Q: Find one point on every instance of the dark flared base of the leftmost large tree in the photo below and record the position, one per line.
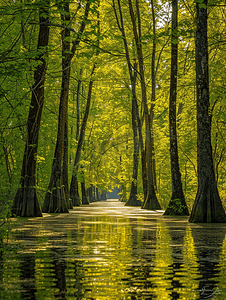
(26, 203)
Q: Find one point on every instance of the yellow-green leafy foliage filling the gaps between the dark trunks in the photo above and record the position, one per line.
(107, 155)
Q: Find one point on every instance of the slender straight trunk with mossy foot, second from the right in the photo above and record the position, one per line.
(177, 204)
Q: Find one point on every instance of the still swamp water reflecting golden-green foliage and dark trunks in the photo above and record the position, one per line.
(109, 251)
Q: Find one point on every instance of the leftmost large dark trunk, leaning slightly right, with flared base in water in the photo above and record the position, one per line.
(26, 202)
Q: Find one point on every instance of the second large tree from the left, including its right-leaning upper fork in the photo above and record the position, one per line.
(55, 200)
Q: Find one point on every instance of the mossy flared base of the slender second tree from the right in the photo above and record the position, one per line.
(177, 207)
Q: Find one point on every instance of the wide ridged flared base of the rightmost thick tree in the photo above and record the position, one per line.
(207, 207)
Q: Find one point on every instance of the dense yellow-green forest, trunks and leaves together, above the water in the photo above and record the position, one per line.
(118, 93)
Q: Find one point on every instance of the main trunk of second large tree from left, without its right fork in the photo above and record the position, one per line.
(56, 198)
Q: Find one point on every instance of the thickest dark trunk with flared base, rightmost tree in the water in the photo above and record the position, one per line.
(207, 207)
